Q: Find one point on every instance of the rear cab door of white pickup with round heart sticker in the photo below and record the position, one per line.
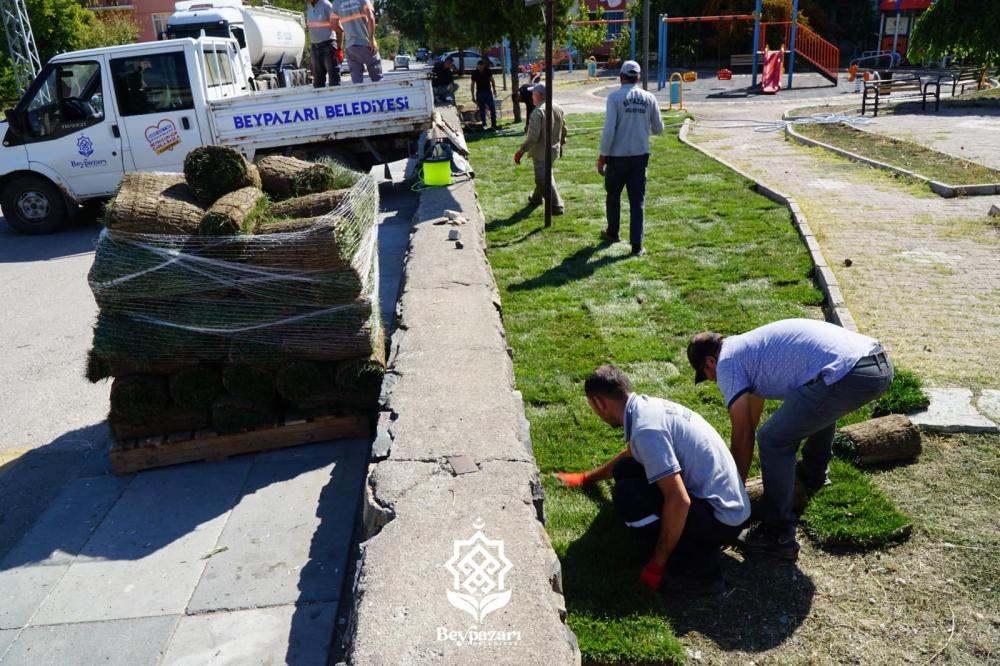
(156, 106)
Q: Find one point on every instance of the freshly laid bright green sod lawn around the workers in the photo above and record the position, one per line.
(720, 257)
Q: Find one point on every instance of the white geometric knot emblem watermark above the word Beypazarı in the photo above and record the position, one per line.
(478, 567)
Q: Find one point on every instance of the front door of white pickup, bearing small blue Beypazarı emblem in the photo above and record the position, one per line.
(67, 127)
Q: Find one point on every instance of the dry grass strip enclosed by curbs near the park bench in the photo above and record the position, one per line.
(905, 154)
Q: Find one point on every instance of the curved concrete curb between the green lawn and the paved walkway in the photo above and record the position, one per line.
(836, 309)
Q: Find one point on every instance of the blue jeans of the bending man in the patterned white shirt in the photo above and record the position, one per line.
(811, 413)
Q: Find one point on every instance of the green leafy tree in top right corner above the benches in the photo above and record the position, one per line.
(966, 30)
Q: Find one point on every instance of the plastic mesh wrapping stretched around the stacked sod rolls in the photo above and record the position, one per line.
(262, 299)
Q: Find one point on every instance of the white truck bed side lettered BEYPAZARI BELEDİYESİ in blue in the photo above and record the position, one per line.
(398, 104)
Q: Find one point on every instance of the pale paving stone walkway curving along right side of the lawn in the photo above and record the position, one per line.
(924, 274)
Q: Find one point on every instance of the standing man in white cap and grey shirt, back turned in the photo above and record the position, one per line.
(632, 115)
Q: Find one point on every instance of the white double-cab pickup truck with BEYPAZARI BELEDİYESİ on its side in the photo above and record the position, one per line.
(90, 116)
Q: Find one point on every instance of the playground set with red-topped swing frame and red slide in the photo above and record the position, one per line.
(800, 41)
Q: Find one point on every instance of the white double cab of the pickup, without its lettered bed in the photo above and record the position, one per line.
(90, 116)
